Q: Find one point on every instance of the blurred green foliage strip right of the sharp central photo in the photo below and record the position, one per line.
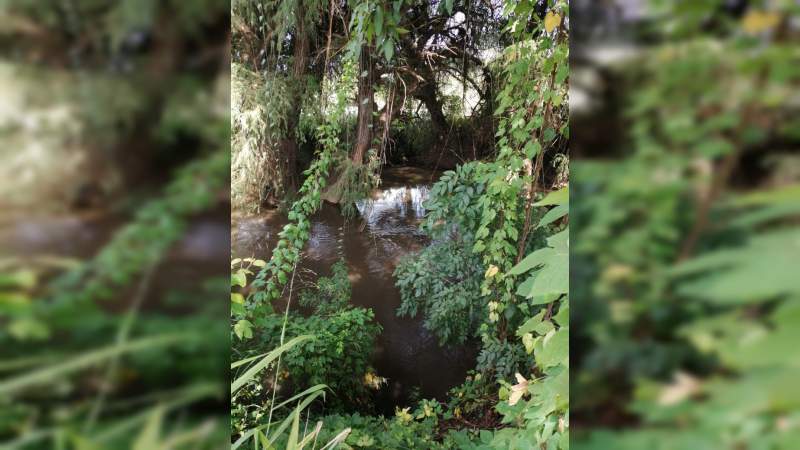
(685, 262)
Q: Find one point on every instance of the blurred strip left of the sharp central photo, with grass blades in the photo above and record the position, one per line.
(114, 223)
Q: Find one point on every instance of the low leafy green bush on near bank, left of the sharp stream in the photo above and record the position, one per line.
(338, 356)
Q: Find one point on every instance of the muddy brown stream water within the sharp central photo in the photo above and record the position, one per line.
(386, 229)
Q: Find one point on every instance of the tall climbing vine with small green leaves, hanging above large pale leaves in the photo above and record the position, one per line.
(528, 125)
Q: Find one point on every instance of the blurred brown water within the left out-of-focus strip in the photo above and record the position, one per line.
(201, 253)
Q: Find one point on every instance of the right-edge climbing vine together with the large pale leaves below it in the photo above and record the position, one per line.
(529, 125)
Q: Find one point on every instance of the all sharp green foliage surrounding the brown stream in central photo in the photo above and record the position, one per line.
(494, 274)
